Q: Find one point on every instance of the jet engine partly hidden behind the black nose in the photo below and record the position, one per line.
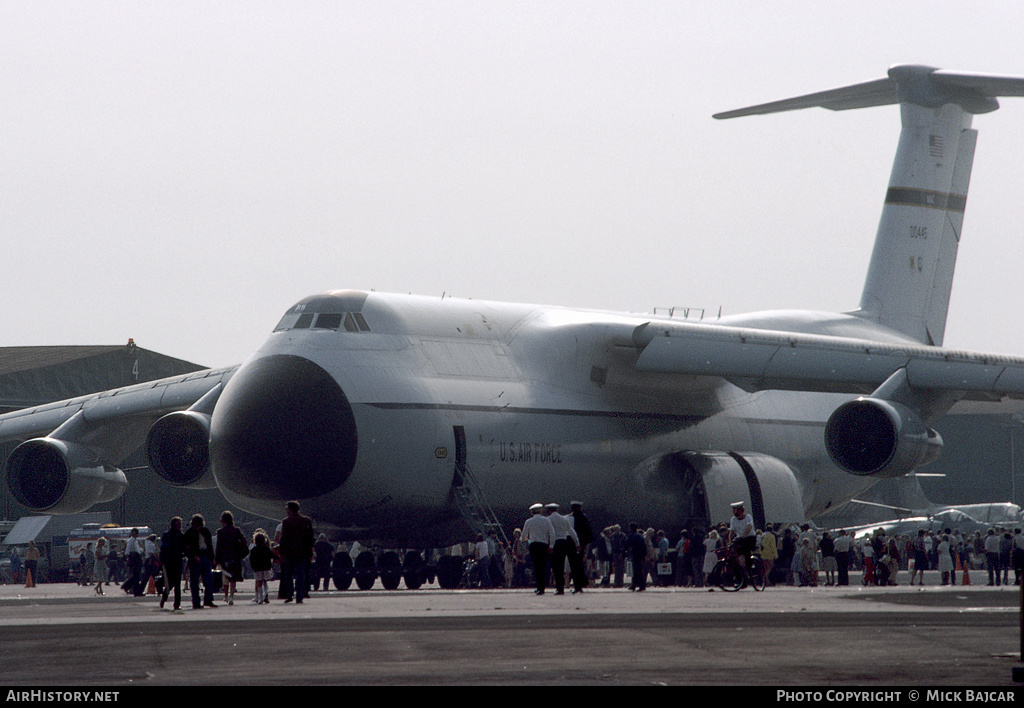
(179, 448)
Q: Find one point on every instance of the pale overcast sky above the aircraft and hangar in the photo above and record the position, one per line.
(183, 173)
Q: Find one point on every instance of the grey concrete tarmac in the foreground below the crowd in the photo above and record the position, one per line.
(970, 637)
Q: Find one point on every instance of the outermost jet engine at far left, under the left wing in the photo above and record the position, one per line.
(60, 477)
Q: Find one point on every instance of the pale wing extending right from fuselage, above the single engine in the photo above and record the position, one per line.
(757, 360)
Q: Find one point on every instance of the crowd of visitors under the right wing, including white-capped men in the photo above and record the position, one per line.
(798, 556)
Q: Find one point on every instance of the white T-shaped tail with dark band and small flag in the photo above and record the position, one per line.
(912, 269)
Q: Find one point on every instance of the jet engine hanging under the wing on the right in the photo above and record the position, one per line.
(876, 438)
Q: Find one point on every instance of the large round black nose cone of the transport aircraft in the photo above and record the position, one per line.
(283, 429)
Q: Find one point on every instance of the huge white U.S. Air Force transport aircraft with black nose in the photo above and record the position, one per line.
(382, 414)
